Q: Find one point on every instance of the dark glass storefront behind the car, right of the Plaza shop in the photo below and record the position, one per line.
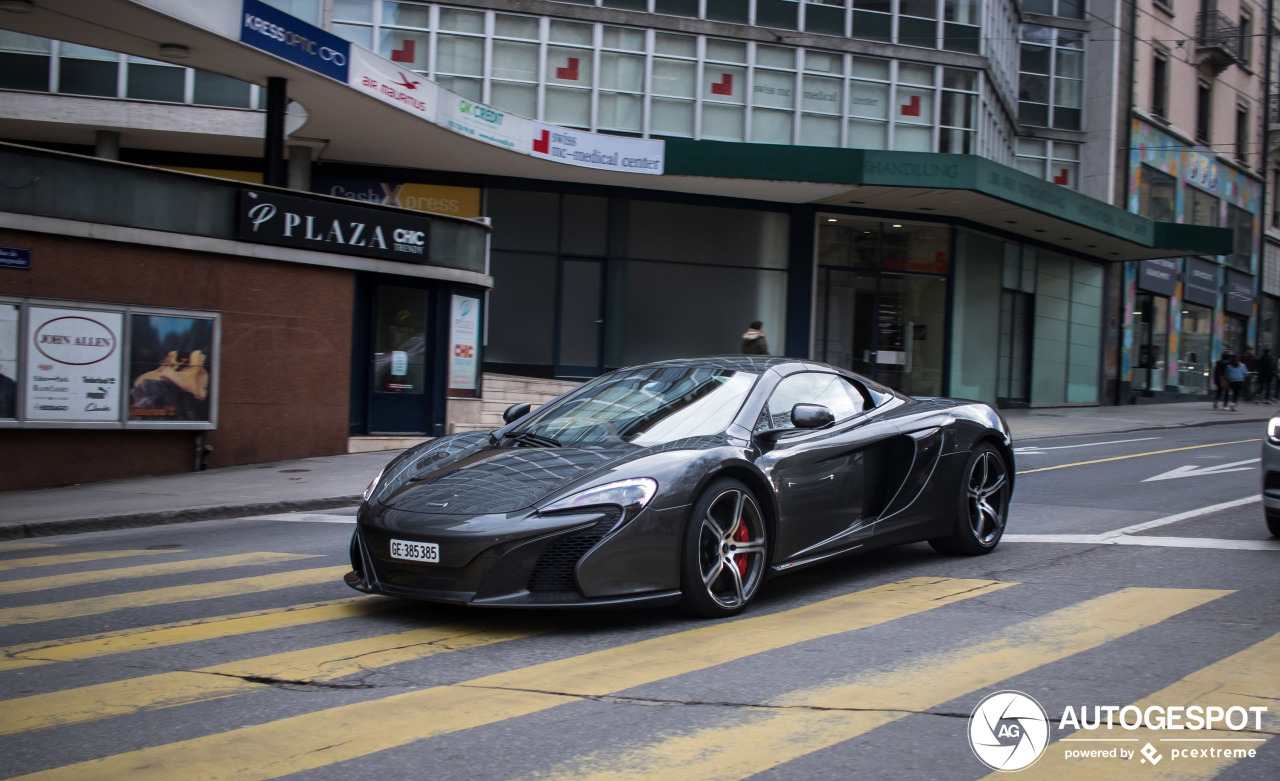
(588, 284)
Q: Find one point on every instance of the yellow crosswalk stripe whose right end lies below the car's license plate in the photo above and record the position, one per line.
(89, 647)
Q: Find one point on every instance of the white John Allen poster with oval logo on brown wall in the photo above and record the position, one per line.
(74, 366)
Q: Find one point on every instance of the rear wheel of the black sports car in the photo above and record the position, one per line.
(982, 505)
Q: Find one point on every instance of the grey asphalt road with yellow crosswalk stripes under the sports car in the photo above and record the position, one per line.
(231, 650)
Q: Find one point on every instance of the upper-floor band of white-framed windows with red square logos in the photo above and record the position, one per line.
(627, 80)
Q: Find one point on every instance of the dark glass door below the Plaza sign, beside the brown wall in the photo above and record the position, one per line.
(400, 403)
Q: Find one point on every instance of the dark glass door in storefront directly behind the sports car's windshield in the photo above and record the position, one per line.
(580, 321)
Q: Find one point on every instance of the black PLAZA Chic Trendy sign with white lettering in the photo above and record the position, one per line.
(269, 218)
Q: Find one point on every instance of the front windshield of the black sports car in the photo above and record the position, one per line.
(647, 407)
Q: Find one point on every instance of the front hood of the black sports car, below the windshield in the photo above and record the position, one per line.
(501, 479)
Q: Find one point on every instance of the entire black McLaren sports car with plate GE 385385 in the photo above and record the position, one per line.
(683, 481)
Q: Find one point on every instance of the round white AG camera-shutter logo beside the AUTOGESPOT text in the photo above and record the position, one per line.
(1009, 732)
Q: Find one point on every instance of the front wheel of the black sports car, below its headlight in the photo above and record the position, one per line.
(725, 552)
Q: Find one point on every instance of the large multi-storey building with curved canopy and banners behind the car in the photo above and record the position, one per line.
(918, 190)
